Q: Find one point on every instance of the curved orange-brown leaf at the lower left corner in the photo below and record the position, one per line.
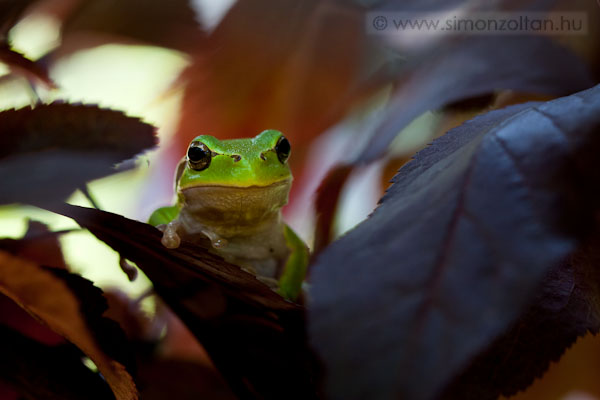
(50, 300)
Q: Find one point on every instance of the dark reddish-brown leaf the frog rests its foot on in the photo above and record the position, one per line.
(218, 301)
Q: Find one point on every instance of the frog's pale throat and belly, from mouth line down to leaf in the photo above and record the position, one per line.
(244, 225)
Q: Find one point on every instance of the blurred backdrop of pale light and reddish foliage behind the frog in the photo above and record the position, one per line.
(355, 106)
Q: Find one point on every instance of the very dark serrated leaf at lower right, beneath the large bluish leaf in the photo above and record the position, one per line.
(566, 307)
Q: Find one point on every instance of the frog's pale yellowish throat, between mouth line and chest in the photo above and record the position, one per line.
(231, 211)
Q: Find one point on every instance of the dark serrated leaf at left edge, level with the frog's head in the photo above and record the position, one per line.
(50, 150)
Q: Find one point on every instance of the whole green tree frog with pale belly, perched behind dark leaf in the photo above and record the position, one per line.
(236, 202)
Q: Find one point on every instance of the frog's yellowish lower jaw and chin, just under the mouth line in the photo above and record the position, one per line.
(234, 205)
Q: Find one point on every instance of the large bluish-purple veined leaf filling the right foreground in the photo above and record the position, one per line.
(455, 251)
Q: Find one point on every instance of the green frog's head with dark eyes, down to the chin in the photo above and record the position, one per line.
(225, 176)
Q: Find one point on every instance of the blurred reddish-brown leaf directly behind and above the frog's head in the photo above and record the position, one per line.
(287, 65)
